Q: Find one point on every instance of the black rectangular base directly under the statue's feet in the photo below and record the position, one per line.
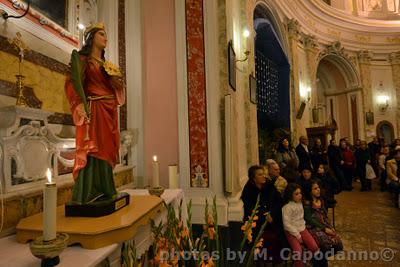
(97, 208)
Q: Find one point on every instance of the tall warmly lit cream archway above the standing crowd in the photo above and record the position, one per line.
(339, 94)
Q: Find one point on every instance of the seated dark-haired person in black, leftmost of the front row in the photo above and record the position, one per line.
(270, 201)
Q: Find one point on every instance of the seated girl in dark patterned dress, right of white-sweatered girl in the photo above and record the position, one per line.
(317, 221)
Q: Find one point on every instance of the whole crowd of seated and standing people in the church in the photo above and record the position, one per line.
(296, 188)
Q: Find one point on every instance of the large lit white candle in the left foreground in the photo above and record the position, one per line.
(49, 209)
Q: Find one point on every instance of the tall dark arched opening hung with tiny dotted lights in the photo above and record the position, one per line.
(272, 75)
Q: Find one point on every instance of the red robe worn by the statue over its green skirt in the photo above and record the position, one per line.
(103, 129)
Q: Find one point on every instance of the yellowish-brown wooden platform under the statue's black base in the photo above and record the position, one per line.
(96, 232)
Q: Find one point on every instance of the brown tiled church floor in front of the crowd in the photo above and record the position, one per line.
(369, 225)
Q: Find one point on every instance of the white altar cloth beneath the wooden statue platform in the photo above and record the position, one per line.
(14, 254)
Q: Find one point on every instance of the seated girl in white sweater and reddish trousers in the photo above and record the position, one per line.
(294, 224)
